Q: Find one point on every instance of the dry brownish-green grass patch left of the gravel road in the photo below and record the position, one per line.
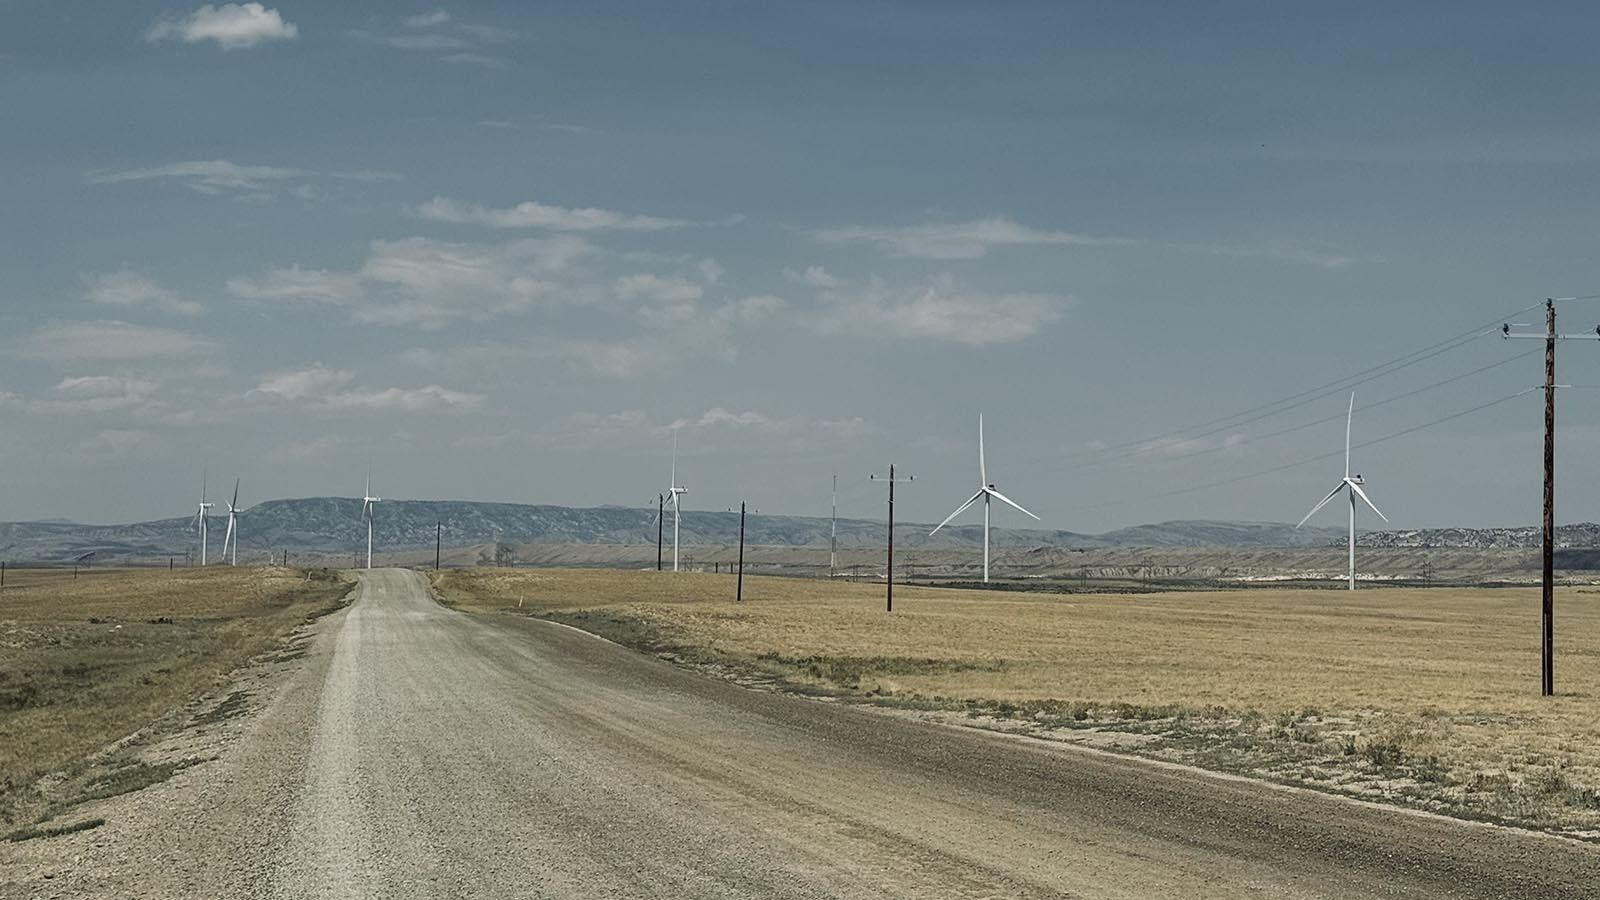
(90, 659)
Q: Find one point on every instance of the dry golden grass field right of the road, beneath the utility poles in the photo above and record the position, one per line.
(1425, 697)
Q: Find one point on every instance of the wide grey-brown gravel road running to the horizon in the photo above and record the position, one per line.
(425, 753)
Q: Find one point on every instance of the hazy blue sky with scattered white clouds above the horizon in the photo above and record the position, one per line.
(502, 249)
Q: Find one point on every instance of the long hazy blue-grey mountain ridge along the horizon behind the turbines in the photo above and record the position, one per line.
(329, 526)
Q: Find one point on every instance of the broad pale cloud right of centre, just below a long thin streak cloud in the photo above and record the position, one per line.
(938, 311)
